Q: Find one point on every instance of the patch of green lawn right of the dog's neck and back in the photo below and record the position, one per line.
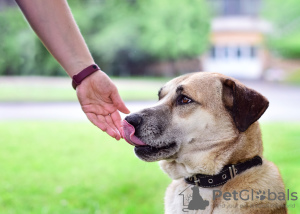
(282, 146)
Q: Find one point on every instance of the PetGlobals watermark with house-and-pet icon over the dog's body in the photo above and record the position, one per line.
(192, 200)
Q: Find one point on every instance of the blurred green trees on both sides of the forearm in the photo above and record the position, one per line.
(123, 36)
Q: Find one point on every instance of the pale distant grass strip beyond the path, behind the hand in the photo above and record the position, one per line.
(43, 89)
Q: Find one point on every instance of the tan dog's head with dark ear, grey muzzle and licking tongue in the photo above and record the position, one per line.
(197, 114)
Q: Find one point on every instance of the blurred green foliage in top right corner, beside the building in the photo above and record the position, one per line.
(285, 16)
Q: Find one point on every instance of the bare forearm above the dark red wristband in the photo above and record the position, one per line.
(53, 22)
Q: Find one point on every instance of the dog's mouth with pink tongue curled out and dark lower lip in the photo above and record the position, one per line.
(141, 148)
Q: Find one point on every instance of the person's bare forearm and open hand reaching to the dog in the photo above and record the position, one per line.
(55, 26)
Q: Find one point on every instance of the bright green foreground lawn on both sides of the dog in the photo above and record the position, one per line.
(73, 168)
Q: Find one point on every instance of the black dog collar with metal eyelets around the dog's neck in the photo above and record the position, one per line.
(228, 172)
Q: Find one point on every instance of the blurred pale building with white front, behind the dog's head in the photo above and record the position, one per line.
(236, 39)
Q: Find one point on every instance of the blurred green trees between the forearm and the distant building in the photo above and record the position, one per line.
(131, 34)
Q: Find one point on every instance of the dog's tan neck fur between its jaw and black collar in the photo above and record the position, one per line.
(242, 147)
